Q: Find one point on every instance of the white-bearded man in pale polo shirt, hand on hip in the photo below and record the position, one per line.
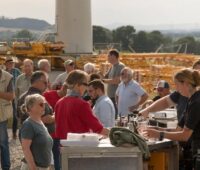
(129, 94)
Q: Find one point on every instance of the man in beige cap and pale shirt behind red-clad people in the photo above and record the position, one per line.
(69, 66)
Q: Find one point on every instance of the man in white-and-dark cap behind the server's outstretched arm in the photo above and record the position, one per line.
(163, 89)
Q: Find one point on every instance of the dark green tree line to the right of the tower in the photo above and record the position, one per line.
(128, 39)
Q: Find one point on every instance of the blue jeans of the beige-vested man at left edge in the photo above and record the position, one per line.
(4, 146)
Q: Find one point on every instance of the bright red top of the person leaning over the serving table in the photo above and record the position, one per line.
(74, 115)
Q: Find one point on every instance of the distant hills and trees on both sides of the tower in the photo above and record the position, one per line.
(125, 38)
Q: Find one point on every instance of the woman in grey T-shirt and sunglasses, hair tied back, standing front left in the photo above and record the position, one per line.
(35, 139)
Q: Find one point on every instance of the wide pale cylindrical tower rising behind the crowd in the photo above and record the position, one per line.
(73, 25)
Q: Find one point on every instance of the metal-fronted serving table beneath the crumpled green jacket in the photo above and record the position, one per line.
(108, 157)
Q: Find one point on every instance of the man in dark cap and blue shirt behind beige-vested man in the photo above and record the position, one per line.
(15, 72)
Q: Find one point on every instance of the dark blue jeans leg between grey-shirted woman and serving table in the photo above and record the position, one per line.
(56, 153)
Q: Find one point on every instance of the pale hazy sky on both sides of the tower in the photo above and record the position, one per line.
(108, 12)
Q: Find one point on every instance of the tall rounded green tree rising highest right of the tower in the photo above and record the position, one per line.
(125, 36)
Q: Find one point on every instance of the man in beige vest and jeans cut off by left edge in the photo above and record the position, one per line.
(6, 97)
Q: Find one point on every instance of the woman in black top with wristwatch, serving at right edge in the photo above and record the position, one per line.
(187, 82)
